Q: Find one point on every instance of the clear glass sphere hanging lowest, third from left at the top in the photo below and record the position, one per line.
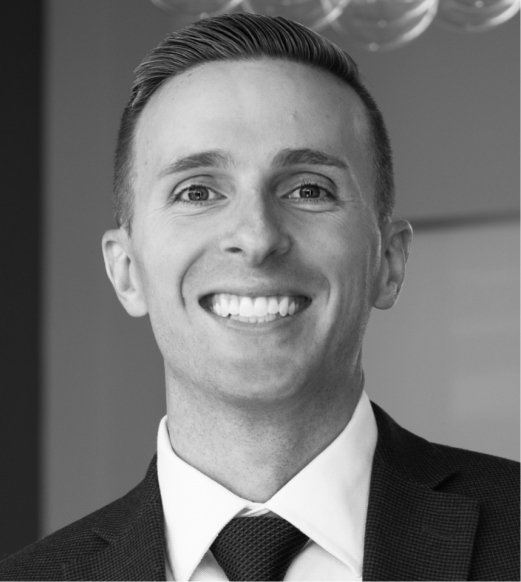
(379, 25)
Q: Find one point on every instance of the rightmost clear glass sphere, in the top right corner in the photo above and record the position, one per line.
(475, 15)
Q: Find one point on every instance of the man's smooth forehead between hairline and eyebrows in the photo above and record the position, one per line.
(253, 109)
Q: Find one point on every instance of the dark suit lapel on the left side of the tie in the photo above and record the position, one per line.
(133, 530)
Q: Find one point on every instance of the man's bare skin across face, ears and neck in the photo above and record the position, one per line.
(251, 404)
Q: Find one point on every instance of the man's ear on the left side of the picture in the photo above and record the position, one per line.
(122, 271)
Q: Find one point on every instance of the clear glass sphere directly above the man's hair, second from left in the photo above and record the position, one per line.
(312, 13)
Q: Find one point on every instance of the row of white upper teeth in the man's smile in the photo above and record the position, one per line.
(224, 304)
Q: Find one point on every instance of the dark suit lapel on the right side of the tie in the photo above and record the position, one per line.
(414, 531)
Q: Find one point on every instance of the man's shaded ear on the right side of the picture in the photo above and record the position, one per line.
(396, 242)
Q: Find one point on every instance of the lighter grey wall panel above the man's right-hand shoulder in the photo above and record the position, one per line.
(444, 362)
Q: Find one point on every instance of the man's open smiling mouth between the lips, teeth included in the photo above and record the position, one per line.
(254, 309)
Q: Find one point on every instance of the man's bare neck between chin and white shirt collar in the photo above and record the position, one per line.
(254, 450)
